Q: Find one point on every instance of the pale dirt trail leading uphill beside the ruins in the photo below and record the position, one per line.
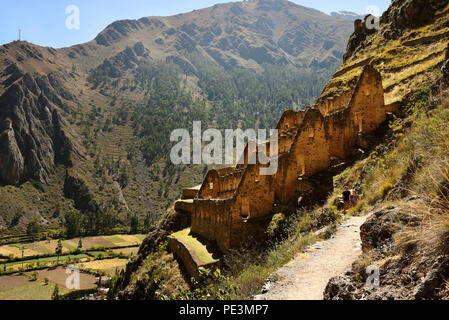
(306, 277)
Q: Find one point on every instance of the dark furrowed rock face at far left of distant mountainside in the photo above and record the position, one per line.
(33, 136)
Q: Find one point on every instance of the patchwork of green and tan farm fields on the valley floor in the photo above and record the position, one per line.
(39, 261)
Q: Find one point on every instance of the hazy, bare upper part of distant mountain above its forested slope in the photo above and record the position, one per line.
(238, 34)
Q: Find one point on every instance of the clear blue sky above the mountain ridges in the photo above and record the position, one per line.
(44, 21)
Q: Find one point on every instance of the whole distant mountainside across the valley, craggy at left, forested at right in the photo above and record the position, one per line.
(85, 130)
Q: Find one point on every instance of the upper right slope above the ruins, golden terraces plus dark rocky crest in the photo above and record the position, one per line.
(407, 49)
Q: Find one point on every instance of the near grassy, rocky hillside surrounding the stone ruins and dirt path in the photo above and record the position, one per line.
(402, 179)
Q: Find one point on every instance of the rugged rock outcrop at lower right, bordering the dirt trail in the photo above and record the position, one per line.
(410, 272)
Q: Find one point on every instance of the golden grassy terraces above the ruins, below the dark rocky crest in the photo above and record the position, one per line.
(404, 64)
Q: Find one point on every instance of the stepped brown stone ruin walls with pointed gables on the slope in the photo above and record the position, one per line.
(232, 199)
